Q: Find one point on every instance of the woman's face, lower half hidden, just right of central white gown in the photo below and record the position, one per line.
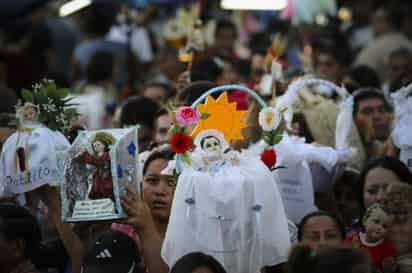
(321, 231)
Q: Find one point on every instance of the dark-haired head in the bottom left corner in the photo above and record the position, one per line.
(20, 239)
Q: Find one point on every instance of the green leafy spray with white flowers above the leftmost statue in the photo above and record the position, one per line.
(54, 109)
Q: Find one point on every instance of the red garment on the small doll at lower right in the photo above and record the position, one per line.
(378, 252)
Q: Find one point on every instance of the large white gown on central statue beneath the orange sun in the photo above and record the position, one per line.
(233, 212)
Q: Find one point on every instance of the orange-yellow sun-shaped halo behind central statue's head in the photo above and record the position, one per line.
(223, 117)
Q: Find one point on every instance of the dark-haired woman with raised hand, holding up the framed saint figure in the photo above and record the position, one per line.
(149, 213)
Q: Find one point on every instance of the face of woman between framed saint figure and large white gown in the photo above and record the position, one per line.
(158, 189)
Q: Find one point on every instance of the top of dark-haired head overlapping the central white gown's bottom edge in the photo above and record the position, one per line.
(197, 262)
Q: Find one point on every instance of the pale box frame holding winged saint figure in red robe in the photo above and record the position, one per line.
(96, 172)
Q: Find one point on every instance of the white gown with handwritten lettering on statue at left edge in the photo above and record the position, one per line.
(42, 144)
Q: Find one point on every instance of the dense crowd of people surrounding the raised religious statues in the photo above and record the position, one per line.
(124, 69)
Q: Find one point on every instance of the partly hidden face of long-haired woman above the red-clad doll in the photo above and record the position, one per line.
(376, 183)
